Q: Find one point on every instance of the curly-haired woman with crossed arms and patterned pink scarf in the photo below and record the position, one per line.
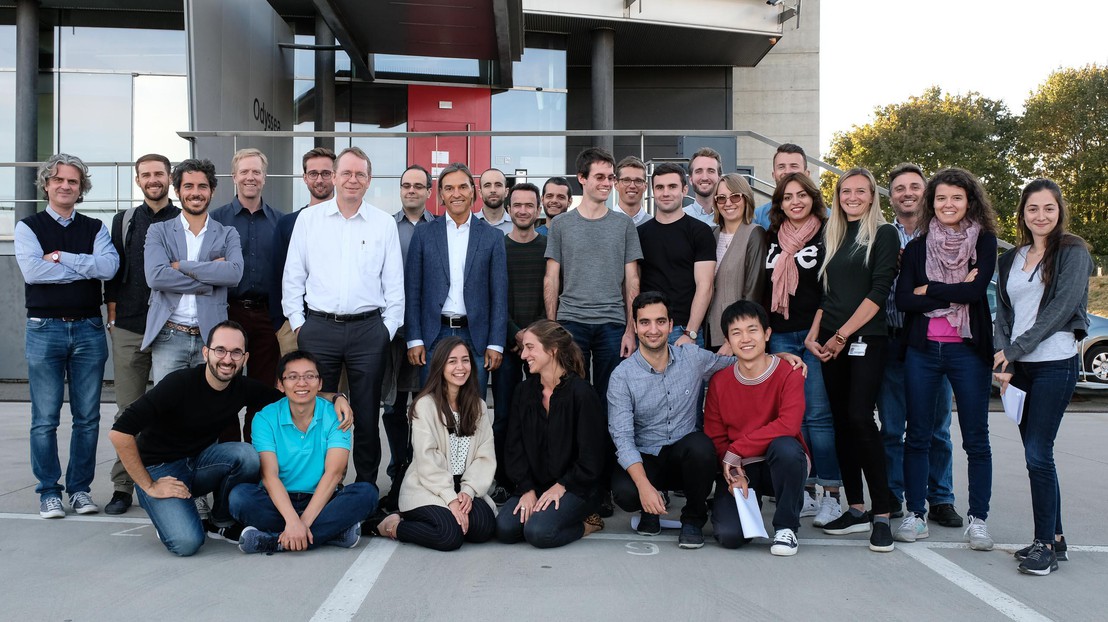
(943, 290)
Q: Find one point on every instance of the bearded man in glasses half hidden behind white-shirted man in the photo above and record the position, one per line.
(319, 167)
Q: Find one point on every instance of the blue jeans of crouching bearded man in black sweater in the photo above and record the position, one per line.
(219, 470)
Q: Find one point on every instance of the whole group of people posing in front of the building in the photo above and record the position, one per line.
(603, 318)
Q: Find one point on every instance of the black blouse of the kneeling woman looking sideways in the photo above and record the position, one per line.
(567, 446)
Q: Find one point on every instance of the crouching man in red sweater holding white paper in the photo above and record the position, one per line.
(753, 415)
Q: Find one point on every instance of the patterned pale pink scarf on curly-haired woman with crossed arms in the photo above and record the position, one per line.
(950, 253)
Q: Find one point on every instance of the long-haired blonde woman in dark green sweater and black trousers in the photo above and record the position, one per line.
(849, 335)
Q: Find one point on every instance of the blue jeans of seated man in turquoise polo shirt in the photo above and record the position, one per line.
(252, 506)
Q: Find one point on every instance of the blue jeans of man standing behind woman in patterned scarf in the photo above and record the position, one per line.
(894, 414)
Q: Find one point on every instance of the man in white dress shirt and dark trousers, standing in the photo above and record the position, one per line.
(345, 297)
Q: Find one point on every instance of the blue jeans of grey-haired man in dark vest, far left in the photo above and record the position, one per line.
(57, 351)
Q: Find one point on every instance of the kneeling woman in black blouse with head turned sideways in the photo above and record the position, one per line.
(556, 445)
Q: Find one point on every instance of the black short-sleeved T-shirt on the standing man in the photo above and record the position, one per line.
(670, 252)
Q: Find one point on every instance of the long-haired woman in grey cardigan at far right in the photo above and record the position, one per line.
(1043, 289)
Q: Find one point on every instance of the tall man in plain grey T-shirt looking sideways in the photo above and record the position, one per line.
(592, 272)
